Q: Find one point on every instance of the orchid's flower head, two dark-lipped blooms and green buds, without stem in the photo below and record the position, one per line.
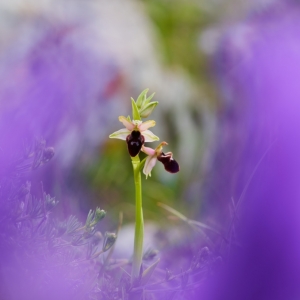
(136, 133)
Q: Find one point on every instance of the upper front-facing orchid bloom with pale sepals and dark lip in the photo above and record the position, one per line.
(135, 134)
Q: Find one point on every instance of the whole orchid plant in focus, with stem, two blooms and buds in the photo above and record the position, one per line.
(135, 134)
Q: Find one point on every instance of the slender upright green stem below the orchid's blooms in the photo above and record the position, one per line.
(139, 221)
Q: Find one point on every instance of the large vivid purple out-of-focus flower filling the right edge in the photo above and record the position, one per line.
(260, 81)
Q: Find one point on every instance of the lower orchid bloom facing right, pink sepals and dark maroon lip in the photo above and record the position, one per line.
(166, 159)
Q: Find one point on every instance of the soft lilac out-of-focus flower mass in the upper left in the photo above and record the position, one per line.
(55, 86)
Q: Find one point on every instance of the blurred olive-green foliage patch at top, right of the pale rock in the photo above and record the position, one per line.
(178, 23)
